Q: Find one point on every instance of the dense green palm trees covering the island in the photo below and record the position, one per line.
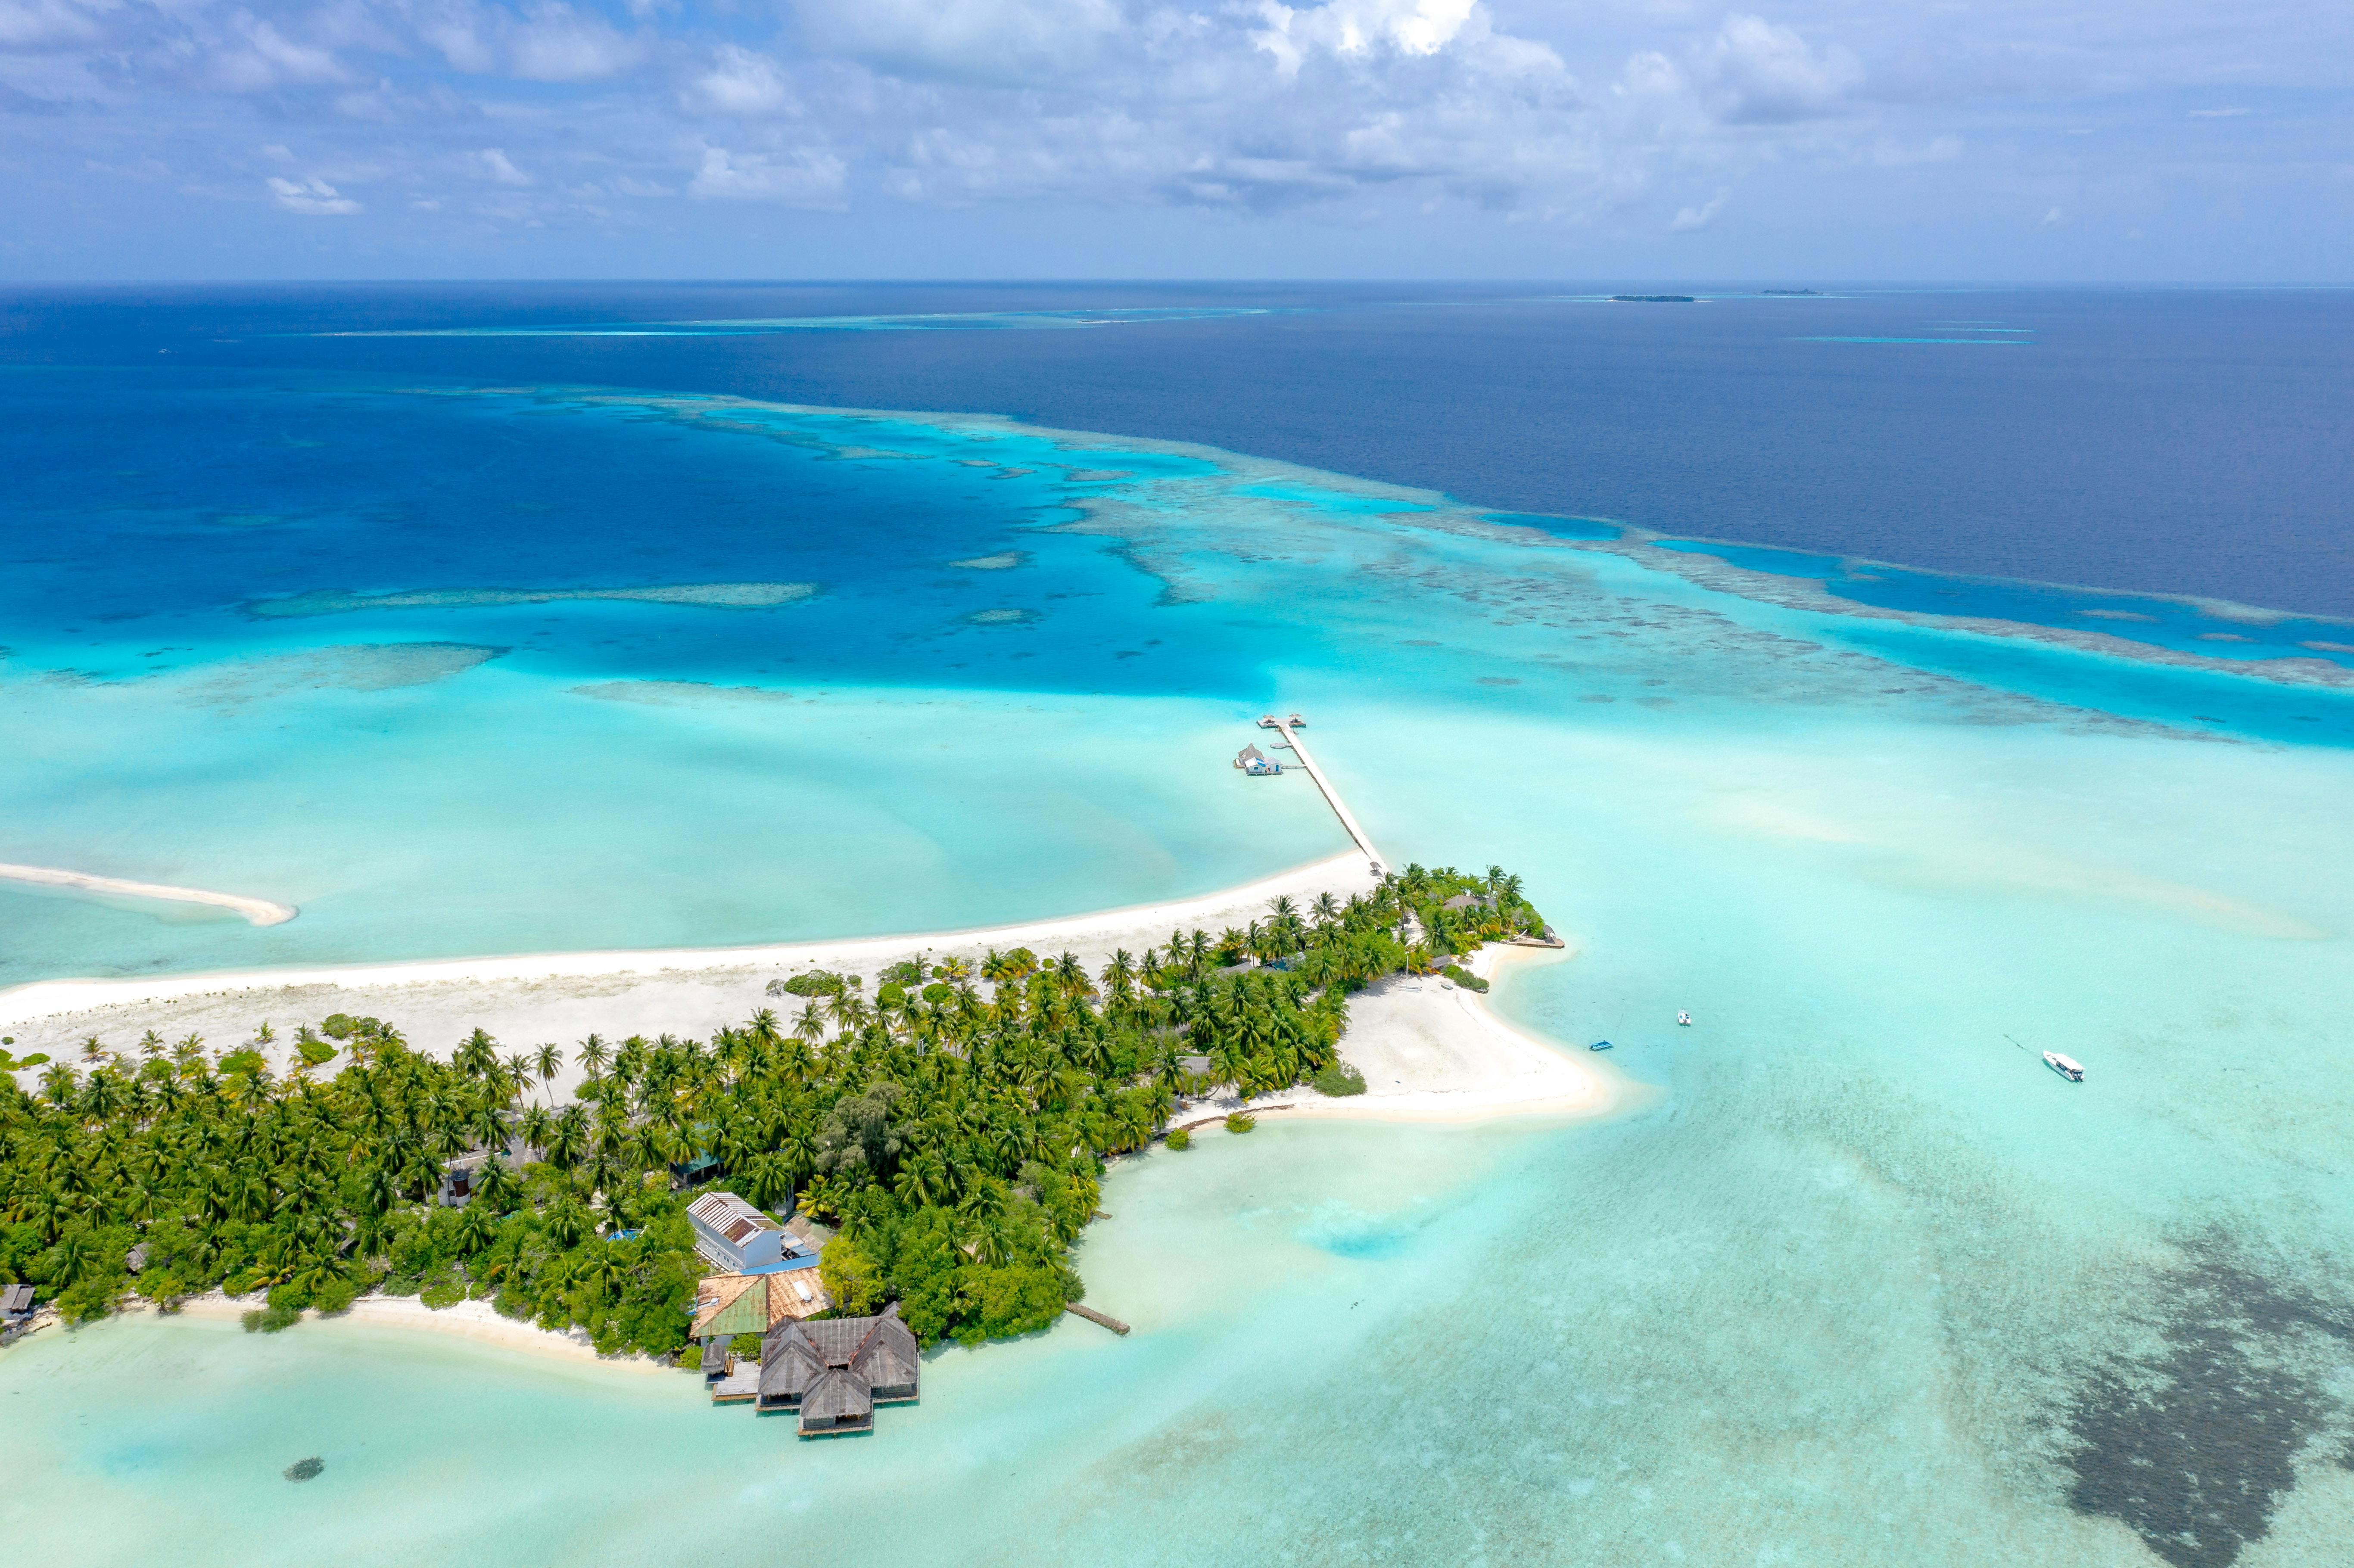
(950, 1129)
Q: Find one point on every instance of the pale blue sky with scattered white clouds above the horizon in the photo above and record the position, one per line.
(1821, 140)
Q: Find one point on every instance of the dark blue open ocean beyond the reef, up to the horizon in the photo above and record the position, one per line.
(2124, 439)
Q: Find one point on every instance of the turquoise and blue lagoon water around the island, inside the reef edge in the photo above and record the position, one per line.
(1861, 1284)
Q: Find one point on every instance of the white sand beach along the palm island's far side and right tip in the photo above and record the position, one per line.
(1428, 1049)
